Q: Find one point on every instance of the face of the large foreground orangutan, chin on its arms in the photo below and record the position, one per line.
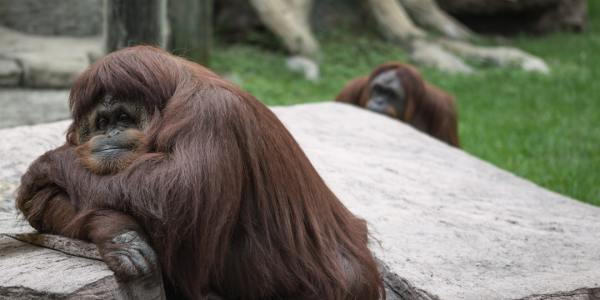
(111, 137)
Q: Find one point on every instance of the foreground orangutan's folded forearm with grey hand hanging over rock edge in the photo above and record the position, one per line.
(120, 240)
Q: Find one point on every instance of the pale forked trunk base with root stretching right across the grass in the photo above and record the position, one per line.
(443, 54)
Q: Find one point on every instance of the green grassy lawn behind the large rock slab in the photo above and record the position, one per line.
(543, 128)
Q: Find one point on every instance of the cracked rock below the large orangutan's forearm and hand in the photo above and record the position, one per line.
(60, 269)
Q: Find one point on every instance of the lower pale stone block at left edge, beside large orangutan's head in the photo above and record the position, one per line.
(33, 106)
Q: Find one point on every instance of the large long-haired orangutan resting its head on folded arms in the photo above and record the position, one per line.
(163, 153)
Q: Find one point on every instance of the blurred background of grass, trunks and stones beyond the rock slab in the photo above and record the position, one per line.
(524, 73)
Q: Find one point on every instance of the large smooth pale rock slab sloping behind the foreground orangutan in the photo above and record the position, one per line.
(449, 225)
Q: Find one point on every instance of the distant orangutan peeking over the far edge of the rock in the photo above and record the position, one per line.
(399, 91)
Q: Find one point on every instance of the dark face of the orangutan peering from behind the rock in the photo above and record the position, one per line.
(387, 95)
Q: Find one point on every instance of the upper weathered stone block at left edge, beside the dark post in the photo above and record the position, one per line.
(48, 62)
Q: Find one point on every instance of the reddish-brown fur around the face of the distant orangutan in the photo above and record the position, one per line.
(428, 108)
